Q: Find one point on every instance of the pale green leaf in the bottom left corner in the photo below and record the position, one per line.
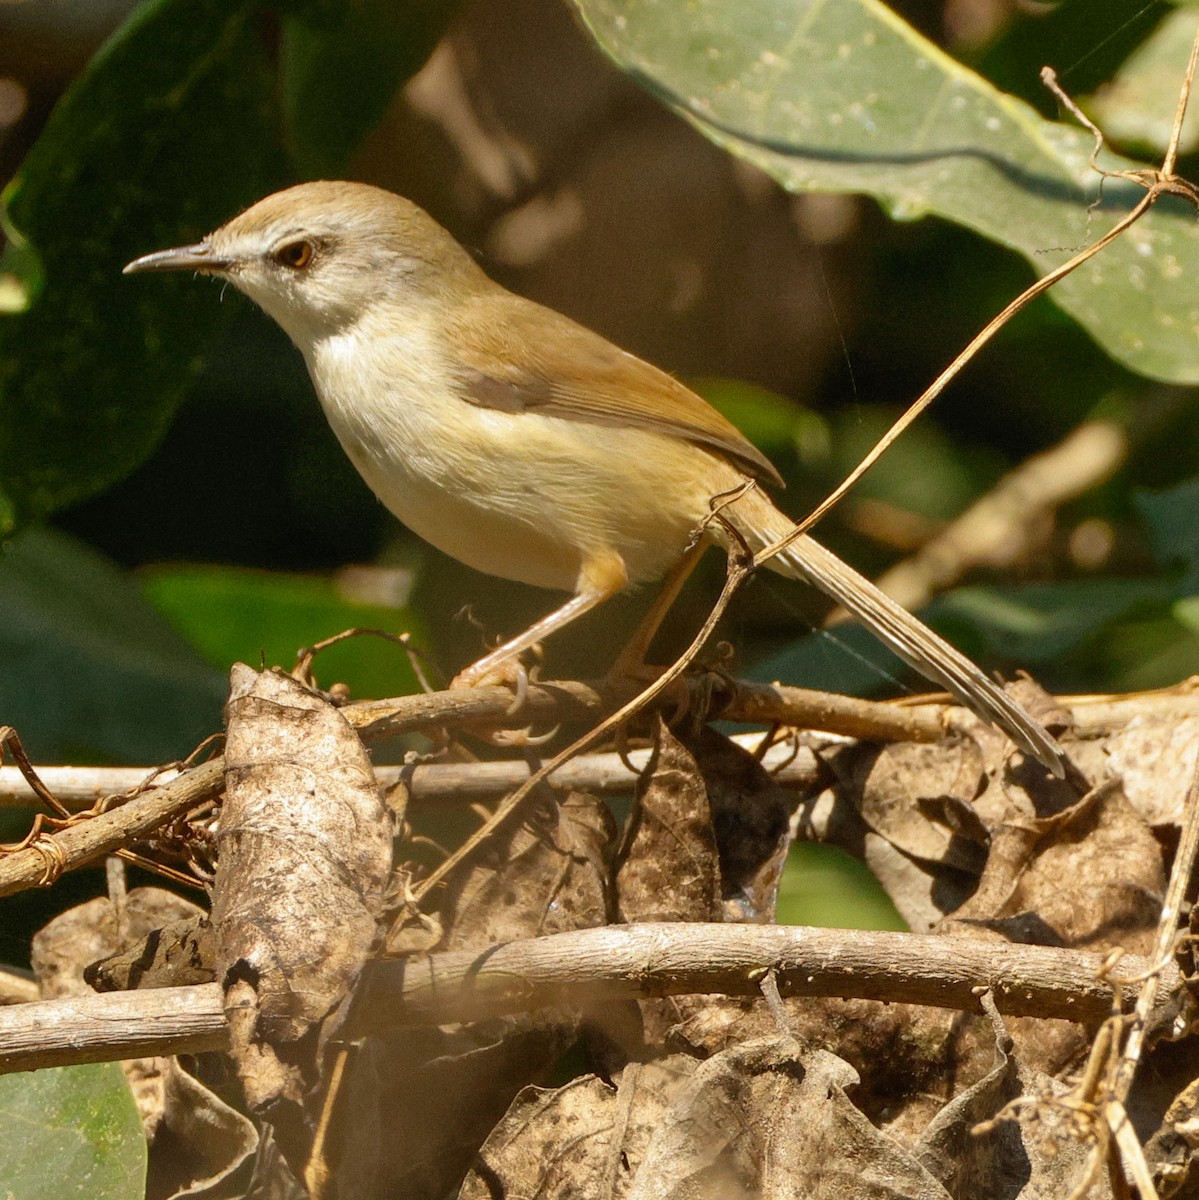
(73, 1132)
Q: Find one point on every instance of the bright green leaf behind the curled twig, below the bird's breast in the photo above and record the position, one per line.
(235, 615)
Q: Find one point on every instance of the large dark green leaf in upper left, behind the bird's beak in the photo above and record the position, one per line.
(173, 129)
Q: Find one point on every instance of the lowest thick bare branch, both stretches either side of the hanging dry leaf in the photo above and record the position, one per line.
(587, 968)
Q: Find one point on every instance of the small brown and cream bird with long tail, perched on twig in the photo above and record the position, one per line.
(517, 440)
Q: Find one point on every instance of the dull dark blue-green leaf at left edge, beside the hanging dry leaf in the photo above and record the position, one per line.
(91, 671)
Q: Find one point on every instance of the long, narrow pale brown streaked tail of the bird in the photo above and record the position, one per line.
(922, 650)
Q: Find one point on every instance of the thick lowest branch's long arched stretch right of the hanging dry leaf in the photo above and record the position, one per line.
(619, 962)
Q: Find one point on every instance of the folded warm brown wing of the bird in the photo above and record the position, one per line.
(563, 370)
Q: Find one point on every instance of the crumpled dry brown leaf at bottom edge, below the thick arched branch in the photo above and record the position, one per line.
(759, 1120)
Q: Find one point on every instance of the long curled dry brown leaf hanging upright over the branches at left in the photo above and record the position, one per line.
(304, 853)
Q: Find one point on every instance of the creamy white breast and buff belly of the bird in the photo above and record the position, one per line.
(520, 496)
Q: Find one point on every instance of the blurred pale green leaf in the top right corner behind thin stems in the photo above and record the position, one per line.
(1137, 106)
